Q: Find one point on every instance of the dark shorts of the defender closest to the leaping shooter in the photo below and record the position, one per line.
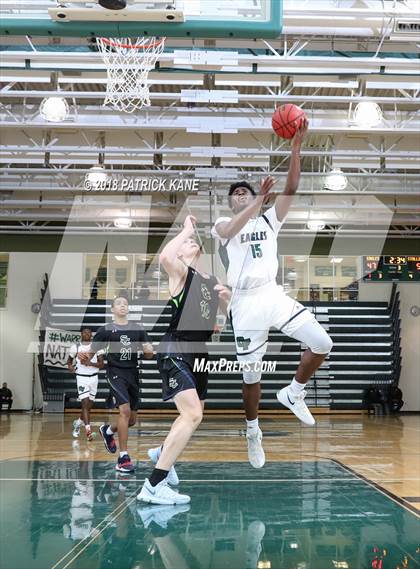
(178, 375)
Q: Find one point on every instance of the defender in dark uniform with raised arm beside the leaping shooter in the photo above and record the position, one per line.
(195, 298)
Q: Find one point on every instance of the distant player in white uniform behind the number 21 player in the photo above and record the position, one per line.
(87, 380)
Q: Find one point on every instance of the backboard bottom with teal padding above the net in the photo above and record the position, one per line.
(171, 18)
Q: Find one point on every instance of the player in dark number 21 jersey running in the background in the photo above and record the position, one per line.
(123, 340)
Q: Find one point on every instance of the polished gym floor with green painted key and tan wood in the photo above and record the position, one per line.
(343, 494)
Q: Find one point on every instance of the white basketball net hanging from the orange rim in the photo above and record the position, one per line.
(128, 64)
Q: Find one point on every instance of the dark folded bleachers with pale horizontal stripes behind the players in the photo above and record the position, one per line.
(366, 353)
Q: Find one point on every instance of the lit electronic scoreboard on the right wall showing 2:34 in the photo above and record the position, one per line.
(397, 268)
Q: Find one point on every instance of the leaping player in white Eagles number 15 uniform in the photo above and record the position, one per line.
(248, 250)
